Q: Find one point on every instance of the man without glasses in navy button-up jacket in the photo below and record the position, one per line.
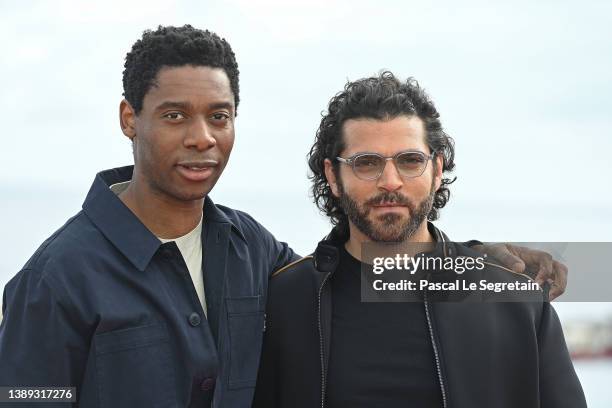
(152, 295)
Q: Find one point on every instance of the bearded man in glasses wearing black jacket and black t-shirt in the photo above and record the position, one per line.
(378, 171)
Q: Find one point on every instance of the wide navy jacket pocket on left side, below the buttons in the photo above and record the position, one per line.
(134, 368)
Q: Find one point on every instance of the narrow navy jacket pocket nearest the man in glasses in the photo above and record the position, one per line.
(246, 323)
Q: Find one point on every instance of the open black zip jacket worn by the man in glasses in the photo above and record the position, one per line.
(497, 354)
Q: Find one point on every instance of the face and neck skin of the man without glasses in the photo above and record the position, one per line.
(187, 120)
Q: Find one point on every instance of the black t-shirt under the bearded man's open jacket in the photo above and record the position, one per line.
(381, 353)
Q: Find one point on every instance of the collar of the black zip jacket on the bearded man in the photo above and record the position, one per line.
(327, 255)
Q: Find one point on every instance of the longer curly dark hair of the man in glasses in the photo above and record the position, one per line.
(381, 97)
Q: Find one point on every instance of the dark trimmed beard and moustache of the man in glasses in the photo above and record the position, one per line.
(388, 227)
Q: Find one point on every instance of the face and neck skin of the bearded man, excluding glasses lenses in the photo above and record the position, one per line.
(386, 137)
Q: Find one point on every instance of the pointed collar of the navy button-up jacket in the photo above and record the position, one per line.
(121, 227)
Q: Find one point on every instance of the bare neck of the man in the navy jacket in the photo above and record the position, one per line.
(163, 216)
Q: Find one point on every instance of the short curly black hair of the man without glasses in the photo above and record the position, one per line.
(171, 47)
